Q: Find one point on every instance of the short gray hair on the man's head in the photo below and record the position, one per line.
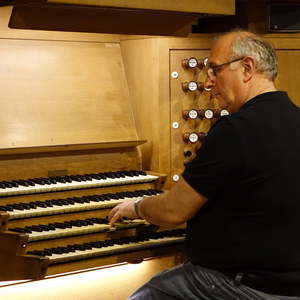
(262, 51)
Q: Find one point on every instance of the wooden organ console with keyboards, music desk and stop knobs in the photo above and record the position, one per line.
(85, 128)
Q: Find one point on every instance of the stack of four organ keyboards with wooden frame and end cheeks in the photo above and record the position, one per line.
(59, 224)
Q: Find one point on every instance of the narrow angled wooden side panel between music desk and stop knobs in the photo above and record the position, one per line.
(141, 61)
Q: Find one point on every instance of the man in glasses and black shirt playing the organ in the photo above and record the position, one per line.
(240, 194)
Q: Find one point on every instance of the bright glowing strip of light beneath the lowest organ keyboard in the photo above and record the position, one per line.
(113, 283)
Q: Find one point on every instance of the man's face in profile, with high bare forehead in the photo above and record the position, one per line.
(226, 85)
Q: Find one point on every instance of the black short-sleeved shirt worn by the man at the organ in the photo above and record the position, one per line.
(249, 169)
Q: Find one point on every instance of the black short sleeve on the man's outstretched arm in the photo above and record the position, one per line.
(218, 162)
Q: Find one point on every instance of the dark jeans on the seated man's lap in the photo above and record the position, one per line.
(192, 282)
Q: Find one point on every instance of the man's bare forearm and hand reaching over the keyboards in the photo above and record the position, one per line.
(174, 207)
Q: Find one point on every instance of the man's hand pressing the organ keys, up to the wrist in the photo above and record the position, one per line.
(124, 210)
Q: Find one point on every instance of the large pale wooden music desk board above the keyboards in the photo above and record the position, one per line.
(57, 93)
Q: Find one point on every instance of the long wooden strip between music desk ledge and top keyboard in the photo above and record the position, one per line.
(73, 162)
